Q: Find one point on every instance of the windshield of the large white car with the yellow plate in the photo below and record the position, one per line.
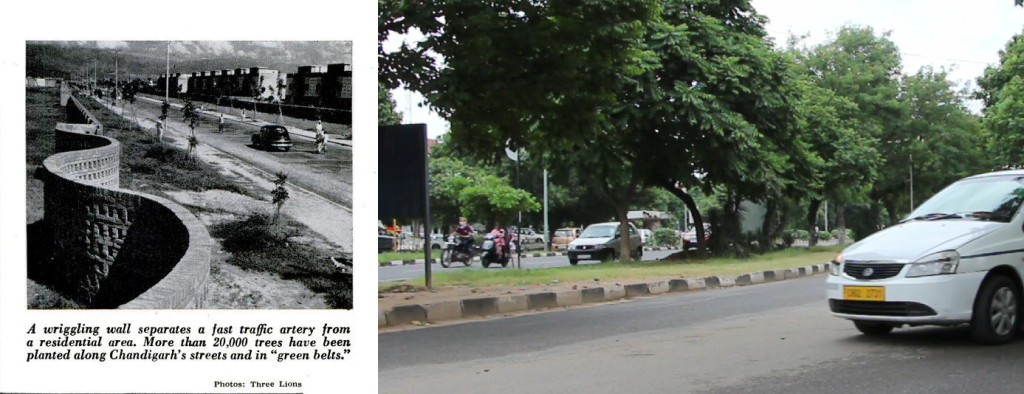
(992, 198)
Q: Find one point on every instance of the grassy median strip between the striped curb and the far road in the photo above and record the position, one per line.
(795, 257)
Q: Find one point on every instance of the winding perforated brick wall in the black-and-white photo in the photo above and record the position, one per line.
(118, 248)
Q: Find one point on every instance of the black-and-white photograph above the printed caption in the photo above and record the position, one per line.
(189, 174)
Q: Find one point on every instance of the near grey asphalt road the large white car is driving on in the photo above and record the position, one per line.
(767, 338)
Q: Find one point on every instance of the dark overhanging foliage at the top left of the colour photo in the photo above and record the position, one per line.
(535, 72)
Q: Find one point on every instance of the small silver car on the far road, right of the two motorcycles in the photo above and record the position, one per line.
(602, 242)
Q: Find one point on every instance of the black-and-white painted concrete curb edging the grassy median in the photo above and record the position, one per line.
(492, 307)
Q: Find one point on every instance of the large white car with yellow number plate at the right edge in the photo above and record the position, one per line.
(957, 259)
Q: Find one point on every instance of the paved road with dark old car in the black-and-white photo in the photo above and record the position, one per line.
(329, 176)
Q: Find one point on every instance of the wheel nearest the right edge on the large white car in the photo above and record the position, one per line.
(997, 312)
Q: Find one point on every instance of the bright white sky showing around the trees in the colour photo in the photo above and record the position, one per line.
(962, 36)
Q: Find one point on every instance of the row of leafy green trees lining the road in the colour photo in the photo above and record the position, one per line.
(619, 99)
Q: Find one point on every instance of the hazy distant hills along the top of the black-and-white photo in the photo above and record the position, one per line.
(147, 59)
